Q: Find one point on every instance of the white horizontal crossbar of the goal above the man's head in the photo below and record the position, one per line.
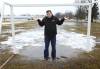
(48, 5)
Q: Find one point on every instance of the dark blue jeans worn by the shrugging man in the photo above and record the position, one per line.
(53, 45)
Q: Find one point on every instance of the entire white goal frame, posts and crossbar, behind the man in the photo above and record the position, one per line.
(43, 5)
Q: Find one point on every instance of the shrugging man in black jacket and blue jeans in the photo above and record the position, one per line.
(50, 22)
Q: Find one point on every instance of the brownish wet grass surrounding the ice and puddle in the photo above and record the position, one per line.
(90, 60)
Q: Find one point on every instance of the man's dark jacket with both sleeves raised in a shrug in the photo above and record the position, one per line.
(50, 25)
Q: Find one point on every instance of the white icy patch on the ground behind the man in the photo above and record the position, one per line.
(64, 38)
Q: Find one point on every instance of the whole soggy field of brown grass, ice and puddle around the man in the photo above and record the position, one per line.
(74, 49)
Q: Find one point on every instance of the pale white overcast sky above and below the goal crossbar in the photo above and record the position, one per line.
(40, 10)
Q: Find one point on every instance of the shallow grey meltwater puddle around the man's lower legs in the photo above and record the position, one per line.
(37, 52)
